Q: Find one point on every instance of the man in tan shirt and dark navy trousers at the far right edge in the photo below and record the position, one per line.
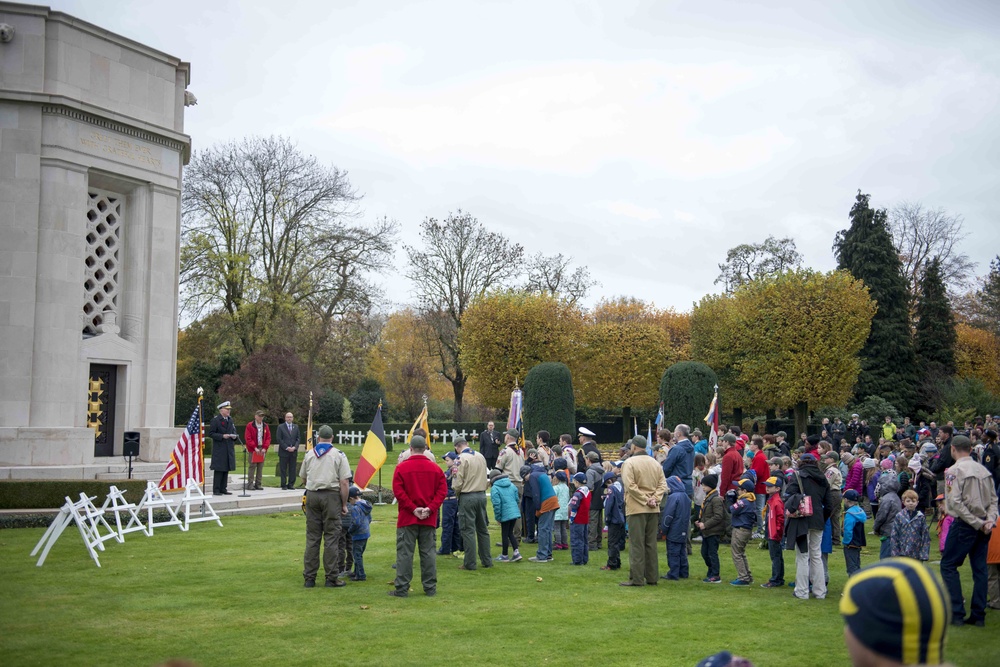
(972, 500)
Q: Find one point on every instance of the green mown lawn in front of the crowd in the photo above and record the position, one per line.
(234, 596)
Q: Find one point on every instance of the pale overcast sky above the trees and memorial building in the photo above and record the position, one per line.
(642, 138)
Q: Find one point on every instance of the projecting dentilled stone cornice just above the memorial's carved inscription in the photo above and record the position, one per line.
(59, 105)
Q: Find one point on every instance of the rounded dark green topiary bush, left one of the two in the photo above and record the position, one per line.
(549, 404)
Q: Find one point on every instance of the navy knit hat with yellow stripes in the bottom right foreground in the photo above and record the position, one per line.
(899, 609)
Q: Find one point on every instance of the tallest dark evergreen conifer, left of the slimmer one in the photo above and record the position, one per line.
(887, 360)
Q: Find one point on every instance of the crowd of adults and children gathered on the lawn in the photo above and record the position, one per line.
(822, 492)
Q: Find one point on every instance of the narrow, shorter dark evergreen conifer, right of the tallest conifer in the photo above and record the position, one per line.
(935, 337)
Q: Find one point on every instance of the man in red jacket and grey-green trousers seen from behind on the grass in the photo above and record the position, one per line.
(419, 487)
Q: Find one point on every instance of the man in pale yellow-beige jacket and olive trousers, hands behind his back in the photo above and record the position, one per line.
(644, 485)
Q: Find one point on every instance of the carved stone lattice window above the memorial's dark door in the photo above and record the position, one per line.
(100, 285)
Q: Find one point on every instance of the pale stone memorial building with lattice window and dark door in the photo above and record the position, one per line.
(92, 146)
